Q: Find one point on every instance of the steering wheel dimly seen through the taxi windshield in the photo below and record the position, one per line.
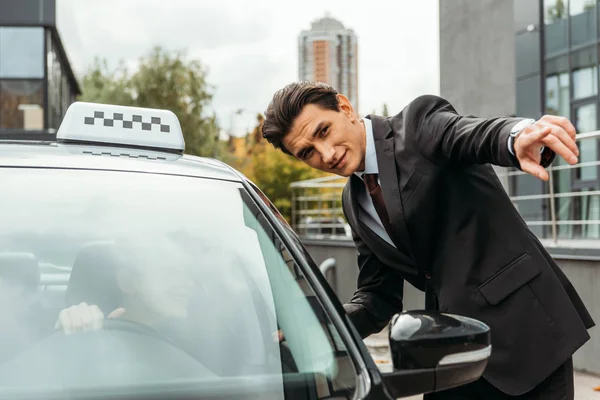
(122, 352)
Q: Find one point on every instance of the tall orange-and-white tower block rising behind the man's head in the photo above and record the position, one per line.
(328, 53)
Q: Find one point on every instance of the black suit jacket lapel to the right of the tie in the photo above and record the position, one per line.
(385, 149)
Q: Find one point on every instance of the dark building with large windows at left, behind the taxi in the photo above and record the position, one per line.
(37, 83)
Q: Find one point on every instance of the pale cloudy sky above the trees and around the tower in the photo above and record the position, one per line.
(250, 48)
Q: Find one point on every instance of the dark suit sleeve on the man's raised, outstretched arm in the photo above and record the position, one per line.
(444, 136)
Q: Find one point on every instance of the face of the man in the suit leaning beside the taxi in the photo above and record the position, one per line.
(331, 141)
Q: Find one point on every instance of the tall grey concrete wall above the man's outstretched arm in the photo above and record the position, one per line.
(477, 56)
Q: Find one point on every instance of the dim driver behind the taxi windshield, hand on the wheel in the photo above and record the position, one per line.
(157, 285)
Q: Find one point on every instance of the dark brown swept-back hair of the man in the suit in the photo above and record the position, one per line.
(289, 102)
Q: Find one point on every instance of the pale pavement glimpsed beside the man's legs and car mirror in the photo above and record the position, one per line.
(380, 351)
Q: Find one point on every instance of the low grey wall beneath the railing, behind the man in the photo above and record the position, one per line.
(585, 276)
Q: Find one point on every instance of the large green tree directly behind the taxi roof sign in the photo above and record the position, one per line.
(162, 80)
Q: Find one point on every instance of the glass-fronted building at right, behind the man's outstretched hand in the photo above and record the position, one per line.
(556, 56)
